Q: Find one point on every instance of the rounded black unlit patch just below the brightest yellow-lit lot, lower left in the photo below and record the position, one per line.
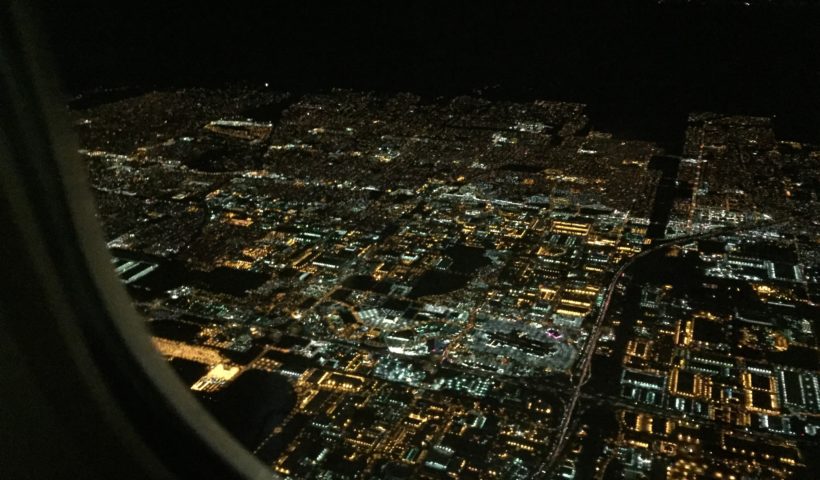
(252, 406)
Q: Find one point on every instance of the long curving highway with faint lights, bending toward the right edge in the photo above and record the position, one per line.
(589, 350)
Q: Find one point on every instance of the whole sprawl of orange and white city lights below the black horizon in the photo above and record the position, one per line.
(449, 288)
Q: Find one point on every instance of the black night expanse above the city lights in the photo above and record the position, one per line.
(632, 59)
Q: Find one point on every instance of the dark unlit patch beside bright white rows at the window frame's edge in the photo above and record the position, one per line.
(172, 274)
